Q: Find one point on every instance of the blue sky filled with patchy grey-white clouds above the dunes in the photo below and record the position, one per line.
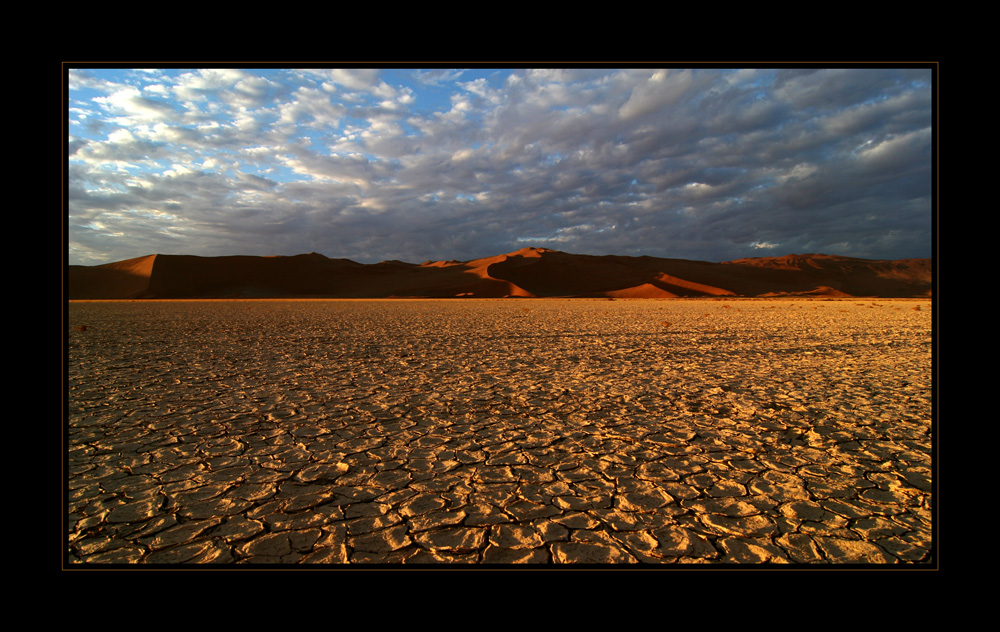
(417, 164)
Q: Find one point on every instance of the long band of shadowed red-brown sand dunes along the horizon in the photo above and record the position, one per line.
(530, 272)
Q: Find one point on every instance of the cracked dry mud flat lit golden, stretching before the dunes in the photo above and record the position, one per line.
(529, 431)
